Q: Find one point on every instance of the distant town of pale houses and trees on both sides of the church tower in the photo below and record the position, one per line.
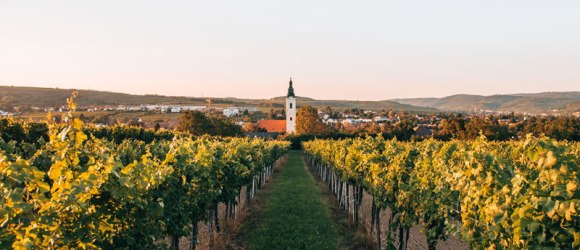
(250, 118)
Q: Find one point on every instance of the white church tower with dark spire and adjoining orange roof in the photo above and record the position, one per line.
(287, 126)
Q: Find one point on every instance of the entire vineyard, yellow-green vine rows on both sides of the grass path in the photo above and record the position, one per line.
(74, 185)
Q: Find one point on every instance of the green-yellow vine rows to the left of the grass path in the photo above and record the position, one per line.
(85, 187)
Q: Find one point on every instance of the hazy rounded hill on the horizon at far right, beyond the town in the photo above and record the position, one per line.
(533, 103)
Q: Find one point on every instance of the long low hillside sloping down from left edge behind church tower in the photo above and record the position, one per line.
(48, 97)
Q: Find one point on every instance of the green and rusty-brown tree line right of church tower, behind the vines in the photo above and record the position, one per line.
(448, 127)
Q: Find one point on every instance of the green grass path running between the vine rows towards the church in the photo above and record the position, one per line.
(295, 215)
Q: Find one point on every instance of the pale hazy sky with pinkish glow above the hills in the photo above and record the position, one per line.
(365, 50)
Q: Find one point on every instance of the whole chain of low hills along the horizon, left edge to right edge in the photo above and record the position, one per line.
(563, 102)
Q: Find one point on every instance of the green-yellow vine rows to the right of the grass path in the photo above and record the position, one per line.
(492, 195)
